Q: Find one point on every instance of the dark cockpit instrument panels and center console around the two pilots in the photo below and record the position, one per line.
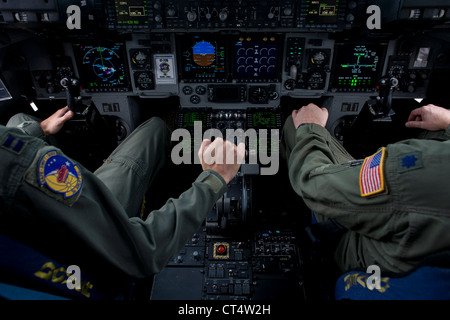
(227, 65)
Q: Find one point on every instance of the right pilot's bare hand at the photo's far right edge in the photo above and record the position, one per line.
(429, 117)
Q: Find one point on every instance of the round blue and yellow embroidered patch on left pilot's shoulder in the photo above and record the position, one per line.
(59, 174)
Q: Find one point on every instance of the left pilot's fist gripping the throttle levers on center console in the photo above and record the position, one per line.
(221, 156)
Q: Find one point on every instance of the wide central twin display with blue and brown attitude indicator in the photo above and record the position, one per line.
(245, 58)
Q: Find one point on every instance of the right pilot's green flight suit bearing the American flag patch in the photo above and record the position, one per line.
(398, 225)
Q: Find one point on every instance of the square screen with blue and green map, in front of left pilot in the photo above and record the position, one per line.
(102, 67)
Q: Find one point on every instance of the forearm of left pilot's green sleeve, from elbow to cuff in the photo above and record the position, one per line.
(165, 231)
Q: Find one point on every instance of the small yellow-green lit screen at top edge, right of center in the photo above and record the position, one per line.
(322, 11)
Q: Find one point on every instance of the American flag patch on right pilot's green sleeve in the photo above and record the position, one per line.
(371, 178)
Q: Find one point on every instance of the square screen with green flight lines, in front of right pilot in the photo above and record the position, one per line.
(357, 66)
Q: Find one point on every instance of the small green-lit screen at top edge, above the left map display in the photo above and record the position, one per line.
(131, 12)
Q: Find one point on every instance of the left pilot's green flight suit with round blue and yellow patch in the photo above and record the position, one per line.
(95, 216)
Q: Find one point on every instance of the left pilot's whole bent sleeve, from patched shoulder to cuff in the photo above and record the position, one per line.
(86, 217)
